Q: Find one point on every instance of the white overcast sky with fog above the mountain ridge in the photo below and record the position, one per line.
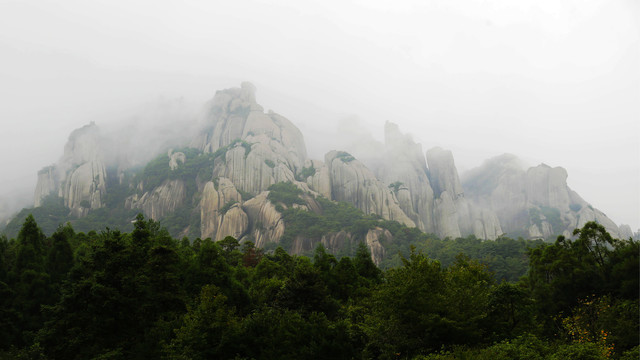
(553, 81)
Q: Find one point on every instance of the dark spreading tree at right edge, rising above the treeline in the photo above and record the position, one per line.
(565, 272)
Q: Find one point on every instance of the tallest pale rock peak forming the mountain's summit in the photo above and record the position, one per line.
(260, 148)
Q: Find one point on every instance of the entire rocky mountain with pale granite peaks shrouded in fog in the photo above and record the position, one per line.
(230, 179)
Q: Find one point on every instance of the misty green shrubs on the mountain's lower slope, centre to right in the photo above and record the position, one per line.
(505, 257)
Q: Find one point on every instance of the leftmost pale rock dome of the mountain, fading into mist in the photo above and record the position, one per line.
(80, 175)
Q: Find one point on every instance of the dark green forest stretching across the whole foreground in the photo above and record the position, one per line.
(146, 295)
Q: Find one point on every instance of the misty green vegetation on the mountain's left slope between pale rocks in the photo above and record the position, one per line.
(197, 167)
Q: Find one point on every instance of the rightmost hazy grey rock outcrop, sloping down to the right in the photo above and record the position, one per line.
(537, 200)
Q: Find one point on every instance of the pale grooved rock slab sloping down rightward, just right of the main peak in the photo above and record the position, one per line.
(352, 182)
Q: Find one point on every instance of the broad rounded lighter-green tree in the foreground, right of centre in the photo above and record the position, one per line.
(423, 306)
